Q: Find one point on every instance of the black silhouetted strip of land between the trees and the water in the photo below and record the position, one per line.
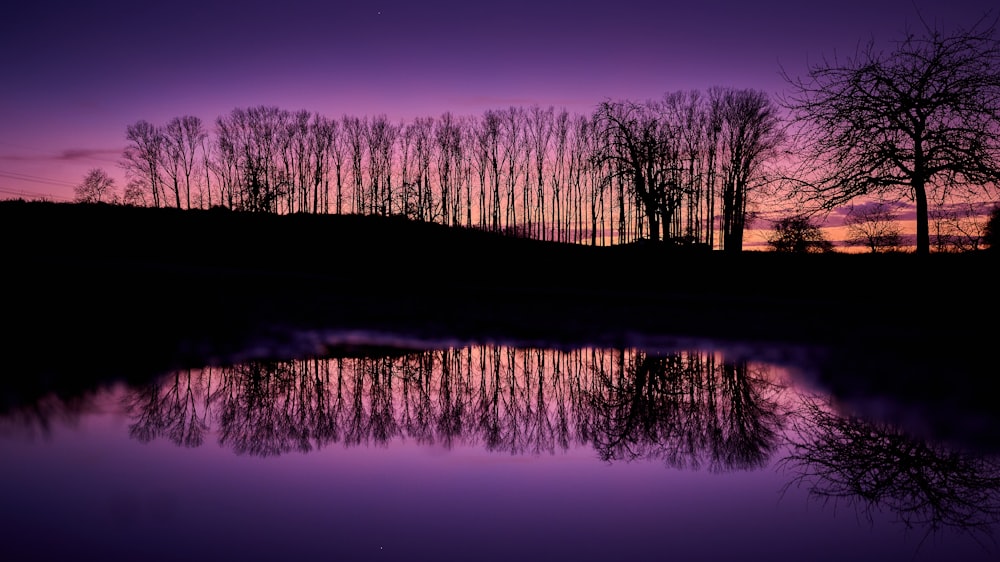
(106, 290)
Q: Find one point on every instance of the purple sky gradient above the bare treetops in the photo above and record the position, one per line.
(75, 74)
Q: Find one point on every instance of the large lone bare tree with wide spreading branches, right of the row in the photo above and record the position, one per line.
(922, 118)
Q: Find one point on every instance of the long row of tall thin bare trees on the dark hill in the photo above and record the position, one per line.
(659, 169)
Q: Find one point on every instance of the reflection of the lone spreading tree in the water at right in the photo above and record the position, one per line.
(874, 466)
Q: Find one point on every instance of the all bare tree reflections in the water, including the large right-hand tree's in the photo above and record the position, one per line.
(691, 410)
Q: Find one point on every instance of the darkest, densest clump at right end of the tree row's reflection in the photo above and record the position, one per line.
(687, 409)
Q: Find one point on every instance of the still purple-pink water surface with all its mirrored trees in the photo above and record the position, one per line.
(484, 452)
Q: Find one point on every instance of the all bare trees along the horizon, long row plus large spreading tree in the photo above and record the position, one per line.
(918, 123)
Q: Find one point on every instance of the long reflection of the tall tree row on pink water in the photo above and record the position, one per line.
(688, 409)
